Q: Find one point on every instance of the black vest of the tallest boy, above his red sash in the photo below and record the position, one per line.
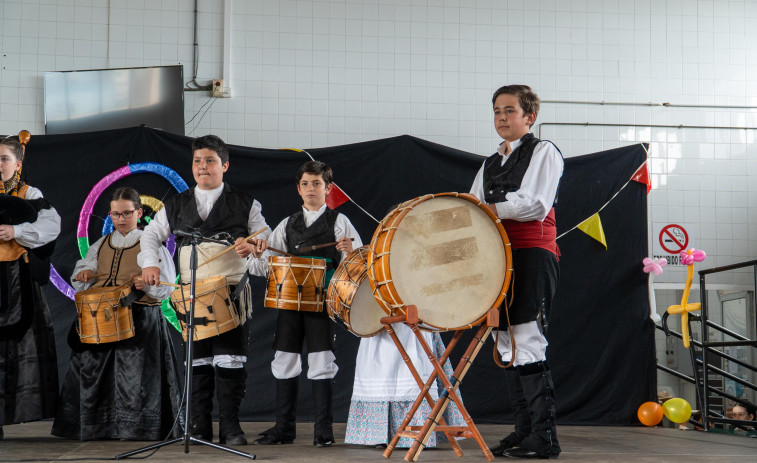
(506, 178)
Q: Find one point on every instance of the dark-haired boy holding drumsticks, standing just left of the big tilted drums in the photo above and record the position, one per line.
(314, 224)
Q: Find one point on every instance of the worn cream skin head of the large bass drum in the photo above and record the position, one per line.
(449, 259)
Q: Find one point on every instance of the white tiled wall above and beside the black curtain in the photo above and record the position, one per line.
(319, 73)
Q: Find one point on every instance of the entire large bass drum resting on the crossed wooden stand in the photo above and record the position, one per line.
(447, 254)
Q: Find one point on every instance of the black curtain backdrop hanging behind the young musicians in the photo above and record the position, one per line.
(601, 339)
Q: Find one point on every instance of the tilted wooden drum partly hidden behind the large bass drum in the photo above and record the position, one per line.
(349, 298)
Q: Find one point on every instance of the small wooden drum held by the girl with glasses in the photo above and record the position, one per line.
(101, 317)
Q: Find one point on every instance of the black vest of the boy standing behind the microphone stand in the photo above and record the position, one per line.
(229, 215)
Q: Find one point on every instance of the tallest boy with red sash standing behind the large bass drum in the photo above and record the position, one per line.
(519, 184)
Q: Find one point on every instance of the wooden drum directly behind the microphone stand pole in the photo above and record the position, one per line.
(215, 312)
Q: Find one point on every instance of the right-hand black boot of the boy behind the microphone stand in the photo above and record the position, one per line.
(231, 386)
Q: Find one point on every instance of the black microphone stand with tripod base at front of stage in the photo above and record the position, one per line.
(194, 239)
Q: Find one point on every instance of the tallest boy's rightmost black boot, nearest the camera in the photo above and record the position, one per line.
(539, 391)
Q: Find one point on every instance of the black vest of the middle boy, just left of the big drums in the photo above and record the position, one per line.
(320, 232)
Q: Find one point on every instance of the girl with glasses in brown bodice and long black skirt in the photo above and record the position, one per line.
(127, 389)
